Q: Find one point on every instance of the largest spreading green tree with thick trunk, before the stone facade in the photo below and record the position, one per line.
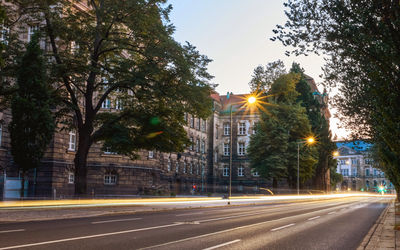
(120, 55)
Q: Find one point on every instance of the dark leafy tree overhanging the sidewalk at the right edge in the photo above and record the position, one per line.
(361, 42)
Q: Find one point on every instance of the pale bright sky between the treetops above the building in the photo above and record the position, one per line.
(236, 34)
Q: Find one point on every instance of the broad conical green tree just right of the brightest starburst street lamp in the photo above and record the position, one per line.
(273, 149)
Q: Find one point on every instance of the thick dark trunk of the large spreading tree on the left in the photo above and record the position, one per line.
(80, 162)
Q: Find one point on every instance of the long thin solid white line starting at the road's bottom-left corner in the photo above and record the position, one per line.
(89, 236)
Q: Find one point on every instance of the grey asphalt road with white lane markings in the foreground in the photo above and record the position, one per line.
(326, 224)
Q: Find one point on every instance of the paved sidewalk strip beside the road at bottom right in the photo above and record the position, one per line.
(383, 235)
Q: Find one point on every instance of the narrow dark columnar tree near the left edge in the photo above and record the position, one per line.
(32, 123)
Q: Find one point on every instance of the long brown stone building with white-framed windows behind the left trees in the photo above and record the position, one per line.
(203, 167)
